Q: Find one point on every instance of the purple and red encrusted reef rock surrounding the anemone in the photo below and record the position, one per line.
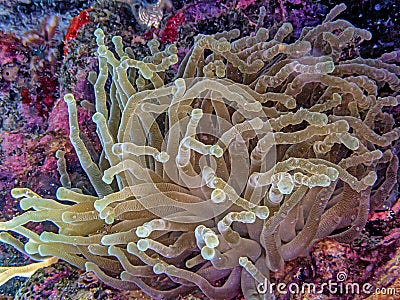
(53, 54)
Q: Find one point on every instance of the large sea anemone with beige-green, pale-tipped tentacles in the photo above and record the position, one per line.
(258, 148)
